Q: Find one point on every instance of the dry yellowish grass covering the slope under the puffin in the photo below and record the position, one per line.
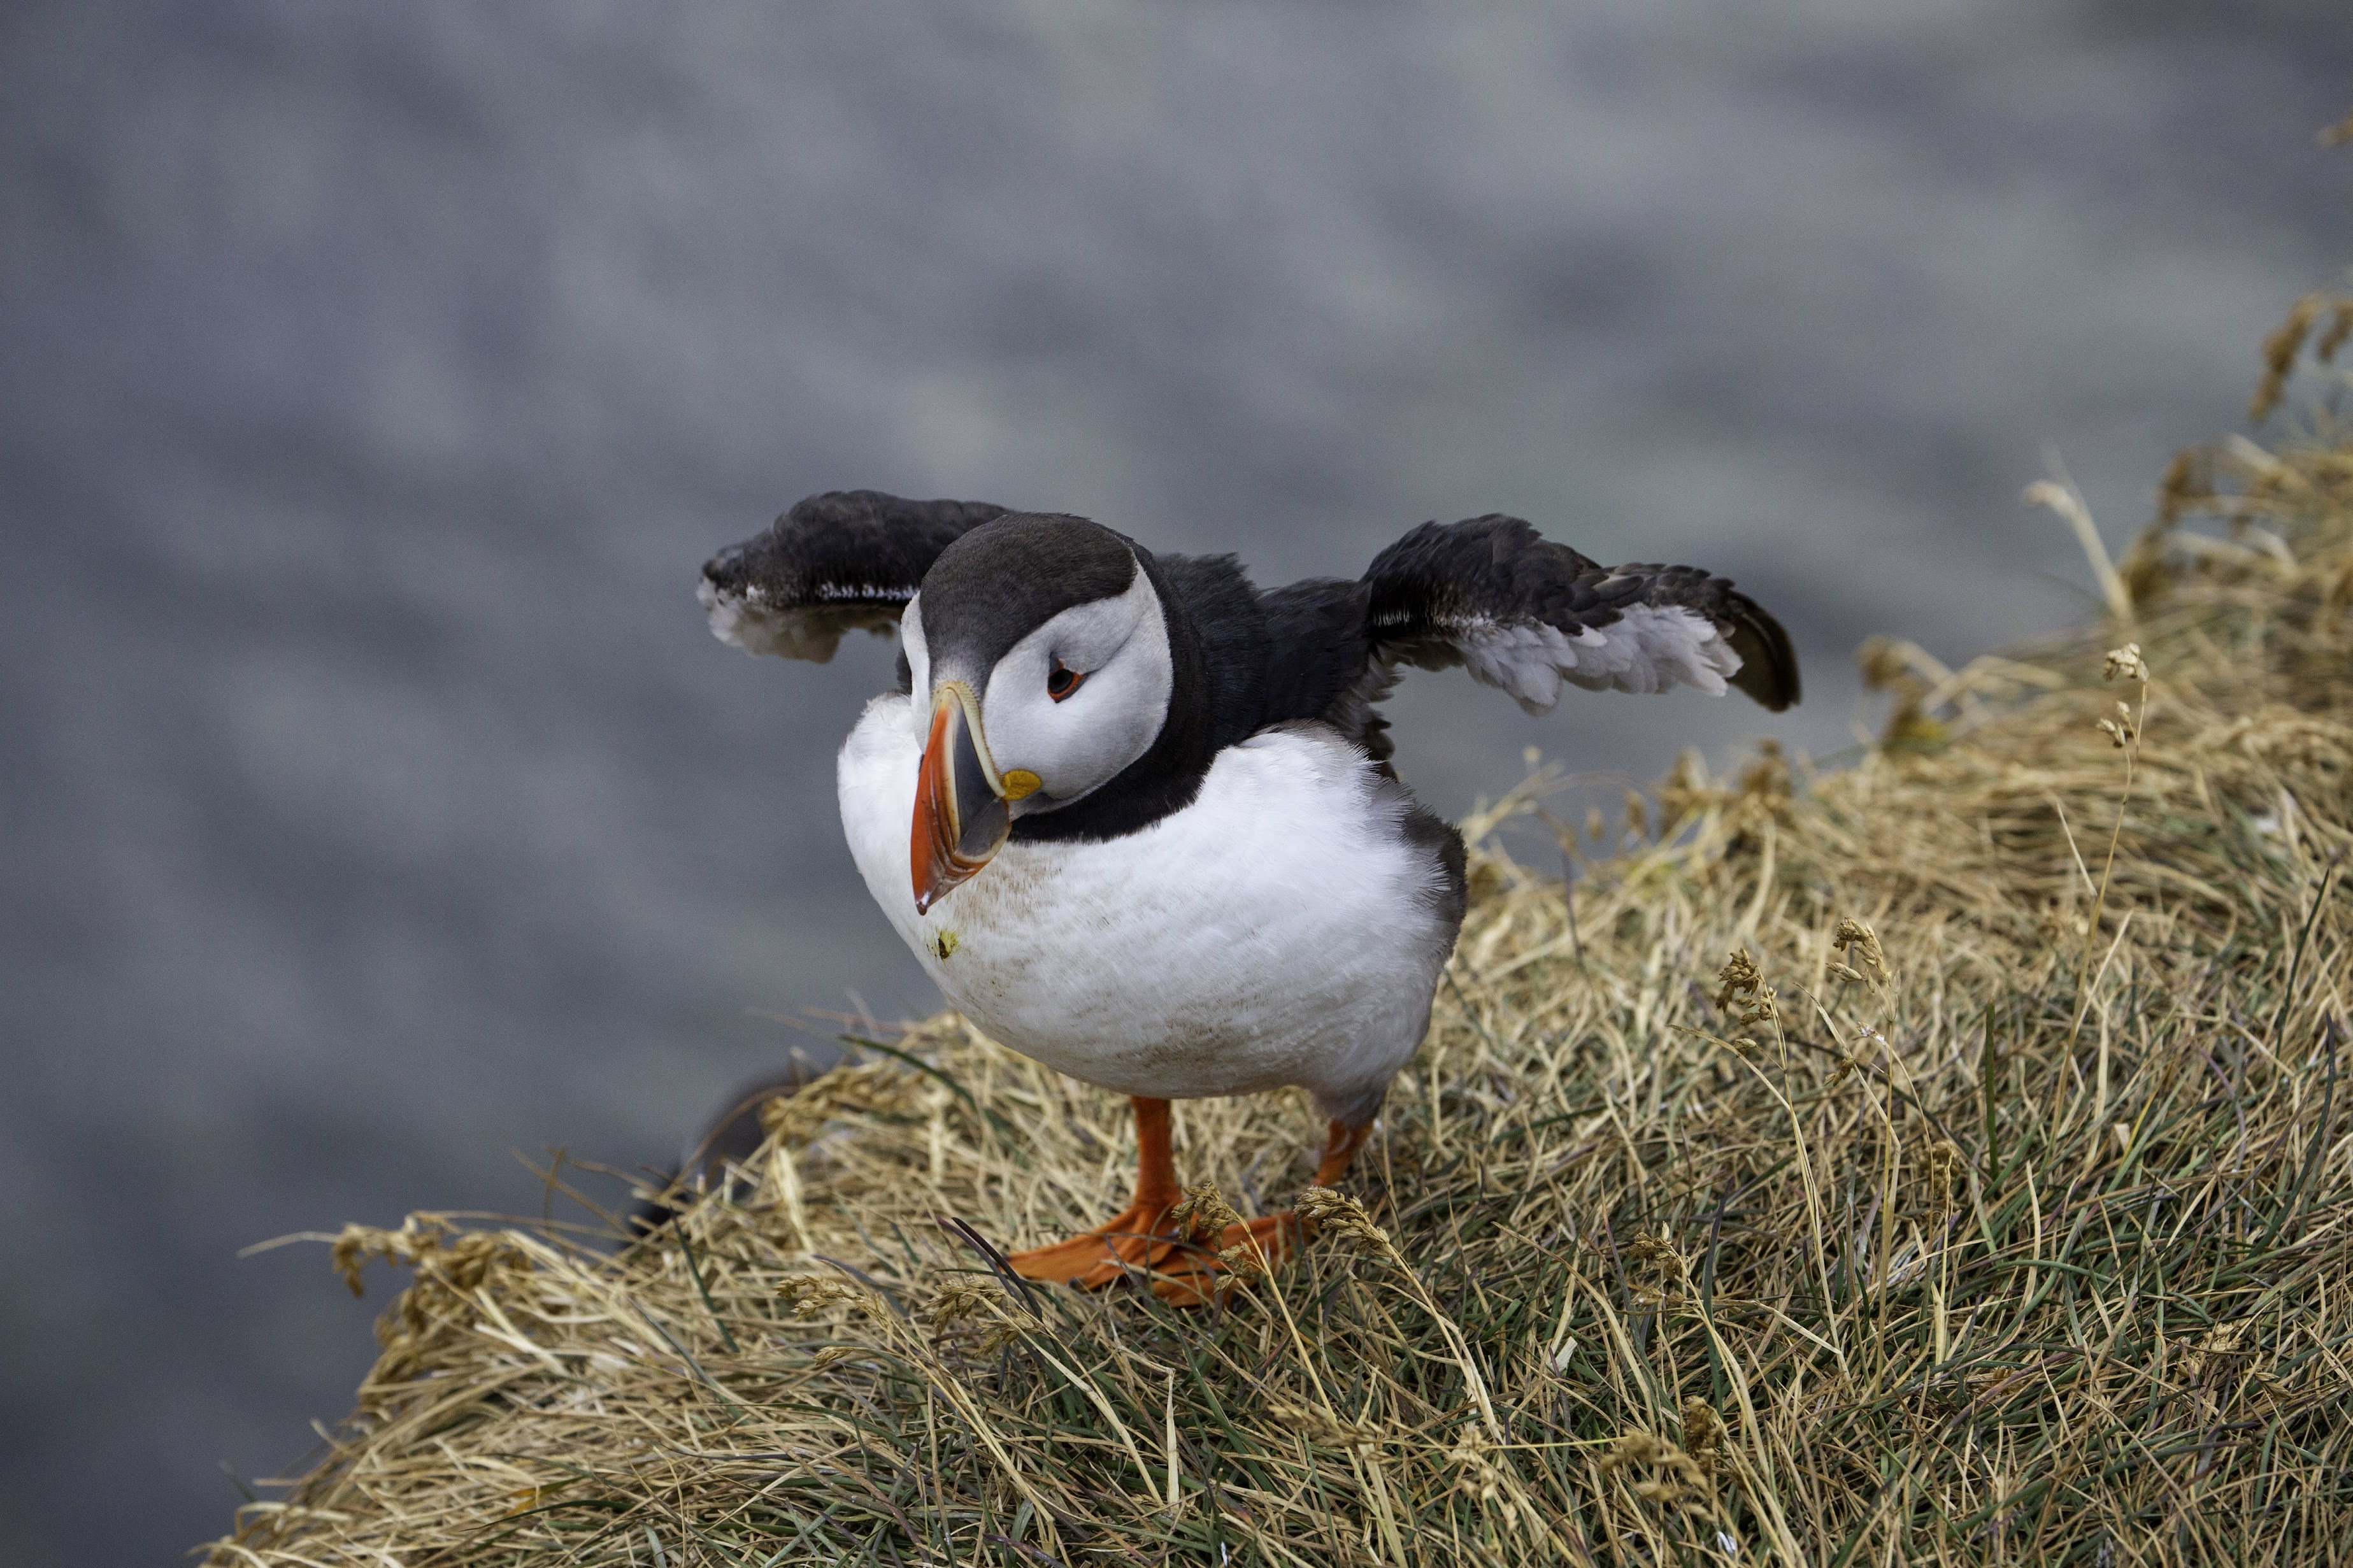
(1987, 1207)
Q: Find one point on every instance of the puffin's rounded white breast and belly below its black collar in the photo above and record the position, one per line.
(1277, 931)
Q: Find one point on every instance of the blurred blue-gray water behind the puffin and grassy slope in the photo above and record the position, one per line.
(373, 802)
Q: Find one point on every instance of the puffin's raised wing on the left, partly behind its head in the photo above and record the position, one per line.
(834, 564)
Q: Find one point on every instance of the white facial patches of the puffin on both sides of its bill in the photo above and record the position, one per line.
(1119, 649)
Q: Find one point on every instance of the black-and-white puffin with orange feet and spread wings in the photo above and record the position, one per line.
(1138, 816)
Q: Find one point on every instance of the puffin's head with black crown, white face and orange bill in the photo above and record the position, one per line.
(1039, 658)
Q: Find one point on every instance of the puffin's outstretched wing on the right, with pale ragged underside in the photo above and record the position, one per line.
(1526, 616)
